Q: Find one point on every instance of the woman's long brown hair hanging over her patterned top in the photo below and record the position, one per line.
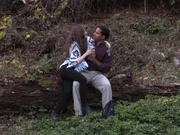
(77, 34)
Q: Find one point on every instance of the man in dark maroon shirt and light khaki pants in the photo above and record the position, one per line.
(99, 63)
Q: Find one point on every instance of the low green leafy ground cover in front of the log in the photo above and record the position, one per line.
(151, 116)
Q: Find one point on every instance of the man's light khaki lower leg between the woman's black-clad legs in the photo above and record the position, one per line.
(77, 99)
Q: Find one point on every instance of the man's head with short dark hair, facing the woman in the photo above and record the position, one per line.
(102, 33)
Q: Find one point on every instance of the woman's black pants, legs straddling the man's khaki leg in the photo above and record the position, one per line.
(68, 75)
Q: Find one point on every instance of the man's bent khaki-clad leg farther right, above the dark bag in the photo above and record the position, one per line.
(100, 82)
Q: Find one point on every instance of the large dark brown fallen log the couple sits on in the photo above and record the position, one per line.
(16, 96)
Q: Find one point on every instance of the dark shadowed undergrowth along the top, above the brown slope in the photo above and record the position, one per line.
(84, 8)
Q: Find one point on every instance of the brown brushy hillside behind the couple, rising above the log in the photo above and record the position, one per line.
(143, 46)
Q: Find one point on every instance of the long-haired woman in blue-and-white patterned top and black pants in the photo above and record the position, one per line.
(71, 68)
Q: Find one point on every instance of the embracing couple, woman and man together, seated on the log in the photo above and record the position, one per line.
(87, 60)
